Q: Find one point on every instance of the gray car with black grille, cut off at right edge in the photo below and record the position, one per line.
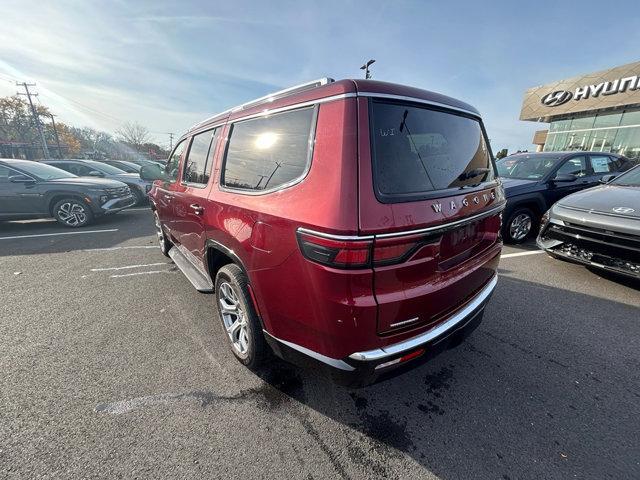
(599, 227)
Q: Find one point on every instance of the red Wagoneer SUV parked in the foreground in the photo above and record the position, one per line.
(354, 224)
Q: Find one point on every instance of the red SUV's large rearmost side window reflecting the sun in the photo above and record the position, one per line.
(270, 152)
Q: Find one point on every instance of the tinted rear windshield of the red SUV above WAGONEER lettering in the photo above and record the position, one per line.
(419, 150)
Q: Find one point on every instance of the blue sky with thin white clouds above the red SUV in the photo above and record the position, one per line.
(168, 65)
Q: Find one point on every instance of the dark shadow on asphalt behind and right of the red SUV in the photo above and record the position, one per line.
(533, 393)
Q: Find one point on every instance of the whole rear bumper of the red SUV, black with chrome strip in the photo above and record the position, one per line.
(364, 368)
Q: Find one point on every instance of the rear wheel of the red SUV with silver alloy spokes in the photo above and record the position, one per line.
(256, 347)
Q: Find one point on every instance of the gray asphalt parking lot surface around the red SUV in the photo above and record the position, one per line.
(113, 366)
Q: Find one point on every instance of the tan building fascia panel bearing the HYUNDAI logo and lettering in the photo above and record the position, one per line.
(607, 89)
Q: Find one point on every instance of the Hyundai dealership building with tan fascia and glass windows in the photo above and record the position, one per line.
(599, 111)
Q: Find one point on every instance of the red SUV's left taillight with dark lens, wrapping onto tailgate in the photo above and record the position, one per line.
(359, 252)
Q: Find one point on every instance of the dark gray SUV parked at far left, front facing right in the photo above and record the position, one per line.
(33, 190)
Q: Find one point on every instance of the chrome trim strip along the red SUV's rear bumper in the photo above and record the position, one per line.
(457, 318)
